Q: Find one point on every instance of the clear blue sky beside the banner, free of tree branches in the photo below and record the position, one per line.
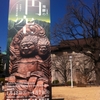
(57, 11)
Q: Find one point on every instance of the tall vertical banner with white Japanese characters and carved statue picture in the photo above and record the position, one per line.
(29, 50)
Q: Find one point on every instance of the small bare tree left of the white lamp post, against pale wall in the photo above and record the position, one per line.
(61, 66)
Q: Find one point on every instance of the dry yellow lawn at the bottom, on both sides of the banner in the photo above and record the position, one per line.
(76, 93)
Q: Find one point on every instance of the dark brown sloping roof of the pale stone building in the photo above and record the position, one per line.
(66, 44)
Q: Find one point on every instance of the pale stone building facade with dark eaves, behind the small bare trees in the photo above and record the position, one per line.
(81, 66)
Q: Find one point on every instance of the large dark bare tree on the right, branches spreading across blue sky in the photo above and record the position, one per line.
(82, 21)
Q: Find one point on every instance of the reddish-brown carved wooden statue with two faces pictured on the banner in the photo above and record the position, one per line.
(29, 65)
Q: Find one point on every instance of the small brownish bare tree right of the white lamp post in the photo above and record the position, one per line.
(84, 66)
